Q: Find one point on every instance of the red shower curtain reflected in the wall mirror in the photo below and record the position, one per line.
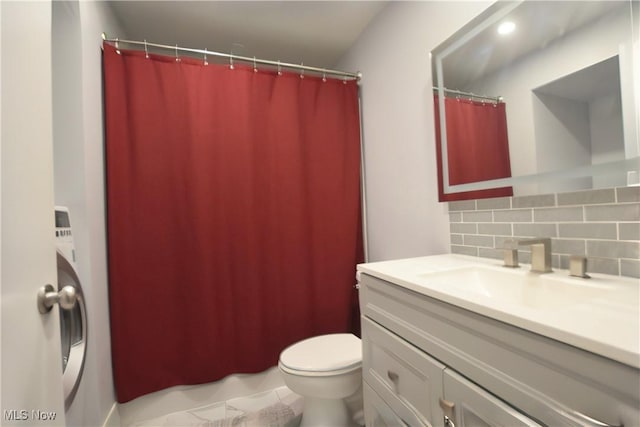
(477, 147)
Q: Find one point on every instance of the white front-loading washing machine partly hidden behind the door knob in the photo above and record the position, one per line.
(73, 321)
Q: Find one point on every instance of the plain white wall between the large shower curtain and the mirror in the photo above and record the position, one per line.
(403, 214)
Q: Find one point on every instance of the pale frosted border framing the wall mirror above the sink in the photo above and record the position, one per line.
(492, 15)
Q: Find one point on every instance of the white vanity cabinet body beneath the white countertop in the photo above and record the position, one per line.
(424, 360)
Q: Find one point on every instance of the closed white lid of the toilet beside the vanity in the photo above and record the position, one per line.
(324, 353)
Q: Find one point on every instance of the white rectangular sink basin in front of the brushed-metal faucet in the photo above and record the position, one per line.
(517, 286)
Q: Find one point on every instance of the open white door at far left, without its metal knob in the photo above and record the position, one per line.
(31, 373)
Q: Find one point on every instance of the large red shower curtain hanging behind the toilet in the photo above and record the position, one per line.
(233, 216)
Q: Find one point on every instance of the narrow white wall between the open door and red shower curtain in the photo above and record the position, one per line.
(79, 184)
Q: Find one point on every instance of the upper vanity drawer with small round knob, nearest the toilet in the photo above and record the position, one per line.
(403, 376)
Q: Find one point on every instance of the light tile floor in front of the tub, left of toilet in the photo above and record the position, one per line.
(279, 407)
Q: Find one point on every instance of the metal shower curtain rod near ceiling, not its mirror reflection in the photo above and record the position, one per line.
(231, 57)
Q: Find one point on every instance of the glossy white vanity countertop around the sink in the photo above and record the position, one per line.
(601, 315)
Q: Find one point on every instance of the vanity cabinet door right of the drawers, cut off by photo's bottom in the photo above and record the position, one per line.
(475, 407)
